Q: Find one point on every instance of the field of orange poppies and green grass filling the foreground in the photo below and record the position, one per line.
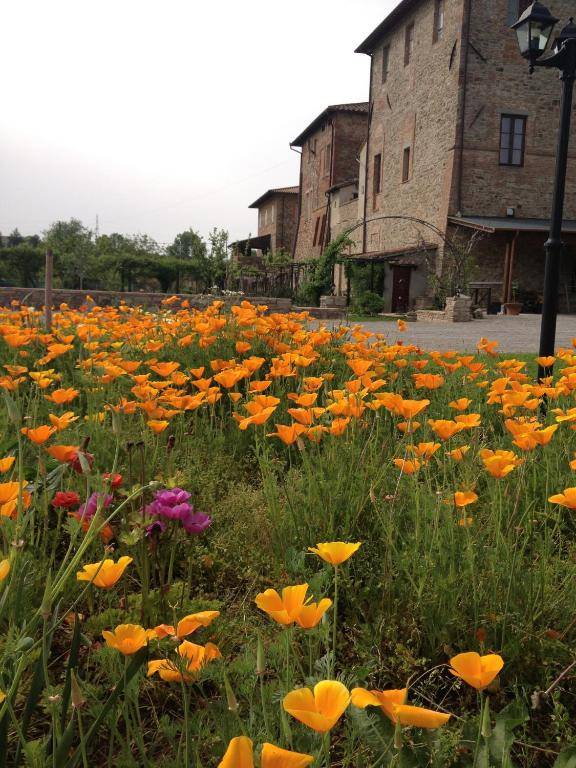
(232, 538)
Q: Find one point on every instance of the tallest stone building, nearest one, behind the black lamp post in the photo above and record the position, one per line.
(461, 143)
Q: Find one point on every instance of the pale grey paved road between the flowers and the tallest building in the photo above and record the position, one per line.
(515, 334)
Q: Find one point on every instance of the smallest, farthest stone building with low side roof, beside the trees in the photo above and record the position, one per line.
(277, 219)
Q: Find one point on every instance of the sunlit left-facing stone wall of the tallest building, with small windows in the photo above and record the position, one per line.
(416, 108)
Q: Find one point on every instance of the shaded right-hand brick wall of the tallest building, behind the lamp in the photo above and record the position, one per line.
(498, 82)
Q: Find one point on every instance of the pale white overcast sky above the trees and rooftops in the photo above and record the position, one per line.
(159, 115)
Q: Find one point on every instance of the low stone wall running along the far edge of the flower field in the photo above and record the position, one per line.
(75, 299)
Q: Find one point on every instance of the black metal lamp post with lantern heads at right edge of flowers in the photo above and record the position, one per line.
(534, 29)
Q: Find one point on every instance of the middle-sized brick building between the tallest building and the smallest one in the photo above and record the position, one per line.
(330, 148)
